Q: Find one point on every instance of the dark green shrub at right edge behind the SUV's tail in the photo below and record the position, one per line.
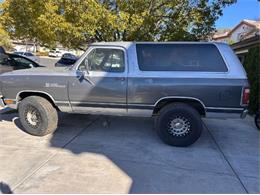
(252, 67)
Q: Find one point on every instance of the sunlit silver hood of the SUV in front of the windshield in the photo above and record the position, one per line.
(40, 71)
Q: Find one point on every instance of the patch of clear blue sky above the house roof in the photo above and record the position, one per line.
(233, 14)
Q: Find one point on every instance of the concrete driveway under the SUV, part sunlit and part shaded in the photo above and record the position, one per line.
(90, 155)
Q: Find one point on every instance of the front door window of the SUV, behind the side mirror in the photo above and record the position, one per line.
(105, 60)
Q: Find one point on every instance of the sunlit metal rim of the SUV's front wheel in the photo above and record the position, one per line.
(32, 117)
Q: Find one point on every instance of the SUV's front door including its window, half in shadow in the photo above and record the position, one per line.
(103, 88)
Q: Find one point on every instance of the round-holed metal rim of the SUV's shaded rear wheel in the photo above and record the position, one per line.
(179, 126)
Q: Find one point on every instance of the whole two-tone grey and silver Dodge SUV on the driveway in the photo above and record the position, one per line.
(177, 83)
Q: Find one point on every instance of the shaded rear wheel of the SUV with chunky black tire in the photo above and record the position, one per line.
(165, 124)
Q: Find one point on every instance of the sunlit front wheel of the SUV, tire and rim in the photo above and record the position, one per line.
(46, 119)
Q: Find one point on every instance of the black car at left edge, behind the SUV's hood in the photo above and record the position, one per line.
(10, 62)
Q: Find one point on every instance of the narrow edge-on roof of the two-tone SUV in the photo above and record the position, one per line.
(128, 44)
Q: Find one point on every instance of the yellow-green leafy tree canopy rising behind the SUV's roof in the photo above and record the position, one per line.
(74, 23)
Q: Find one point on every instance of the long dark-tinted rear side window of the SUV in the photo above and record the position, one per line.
(180, 57)
